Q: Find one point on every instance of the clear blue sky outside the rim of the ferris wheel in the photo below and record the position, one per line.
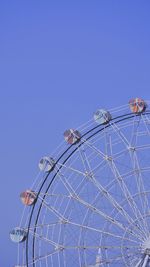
(59, 62)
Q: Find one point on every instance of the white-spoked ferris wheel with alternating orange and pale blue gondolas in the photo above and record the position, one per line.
(90, 203)
